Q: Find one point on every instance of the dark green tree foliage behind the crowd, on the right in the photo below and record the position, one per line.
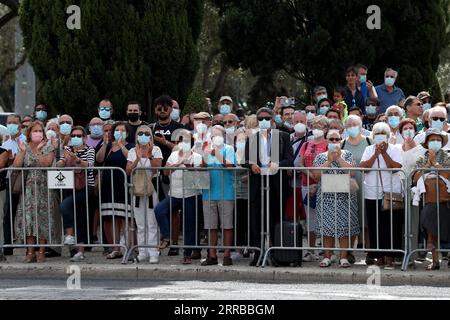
(314, 41)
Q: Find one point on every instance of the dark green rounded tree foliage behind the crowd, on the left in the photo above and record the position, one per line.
(125, 50)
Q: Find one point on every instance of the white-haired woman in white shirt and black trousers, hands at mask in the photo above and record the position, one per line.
(382, 155)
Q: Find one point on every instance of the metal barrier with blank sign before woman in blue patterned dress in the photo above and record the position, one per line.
(340, 183)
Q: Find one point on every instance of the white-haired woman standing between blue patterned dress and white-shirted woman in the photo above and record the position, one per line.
(357, 143)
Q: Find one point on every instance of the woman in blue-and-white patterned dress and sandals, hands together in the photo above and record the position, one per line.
(334, 220)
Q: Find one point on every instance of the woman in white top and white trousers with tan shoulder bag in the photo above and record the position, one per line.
(145, 155)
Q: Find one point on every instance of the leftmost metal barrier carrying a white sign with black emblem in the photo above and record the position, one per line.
(42, 200)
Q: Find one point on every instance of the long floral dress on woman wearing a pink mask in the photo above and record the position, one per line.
(34, 212)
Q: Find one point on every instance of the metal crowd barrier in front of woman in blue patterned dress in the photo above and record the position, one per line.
(335, 206)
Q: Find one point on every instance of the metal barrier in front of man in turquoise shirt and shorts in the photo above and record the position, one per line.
(191, 193)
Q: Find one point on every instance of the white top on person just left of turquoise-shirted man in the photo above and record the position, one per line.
(176, 178)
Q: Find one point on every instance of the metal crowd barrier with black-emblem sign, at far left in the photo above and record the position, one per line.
(27, 210)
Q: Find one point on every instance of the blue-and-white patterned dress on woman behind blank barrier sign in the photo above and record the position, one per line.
(337, 224)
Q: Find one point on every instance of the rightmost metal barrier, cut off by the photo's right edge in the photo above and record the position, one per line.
(428, 214)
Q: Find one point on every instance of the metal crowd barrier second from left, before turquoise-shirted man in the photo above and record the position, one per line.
(195, 179)
